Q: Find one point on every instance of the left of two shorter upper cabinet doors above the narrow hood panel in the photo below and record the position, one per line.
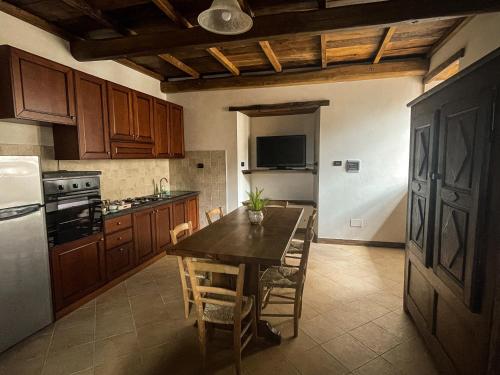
(121, 113)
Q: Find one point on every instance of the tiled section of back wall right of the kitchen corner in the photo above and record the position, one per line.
(209, 180)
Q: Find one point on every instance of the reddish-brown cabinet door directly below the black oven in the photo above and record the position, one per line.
(78, 268)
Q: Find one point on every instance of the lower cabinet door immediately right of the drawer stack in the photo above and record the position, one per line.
(145, 234)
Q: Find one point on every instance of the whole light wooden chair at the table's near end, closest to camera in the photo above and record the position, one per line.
(218, 305)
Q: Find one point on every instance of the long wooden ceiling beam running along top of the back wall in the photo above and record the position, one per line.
(340, 73)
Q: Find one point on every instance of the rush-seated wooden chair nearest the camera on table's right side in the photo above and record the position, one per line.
(287, 277)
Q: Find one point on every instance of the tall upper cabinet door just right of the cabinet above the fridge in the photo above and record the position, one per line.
(92, 117)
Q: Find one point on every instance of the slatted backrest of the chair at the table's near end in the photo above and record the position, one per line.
(216, 295)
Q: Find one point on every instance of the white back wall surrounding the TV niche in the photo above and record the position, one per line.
(368, 120)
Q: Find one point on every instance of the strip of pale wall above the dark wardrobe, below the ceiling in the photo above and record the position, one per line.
(479, 37)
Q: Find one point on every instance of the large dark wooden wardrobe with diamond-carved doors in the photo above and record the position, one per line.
(452, 274)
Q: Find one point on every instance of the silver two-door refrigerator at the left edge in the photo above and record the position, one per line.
(25, 295)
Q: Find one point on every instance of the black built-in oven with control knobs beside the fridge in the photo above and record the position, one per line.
(73, 205)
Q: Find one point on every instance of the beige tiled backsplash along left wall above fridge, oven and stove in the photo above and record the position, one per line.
(120, 178)
